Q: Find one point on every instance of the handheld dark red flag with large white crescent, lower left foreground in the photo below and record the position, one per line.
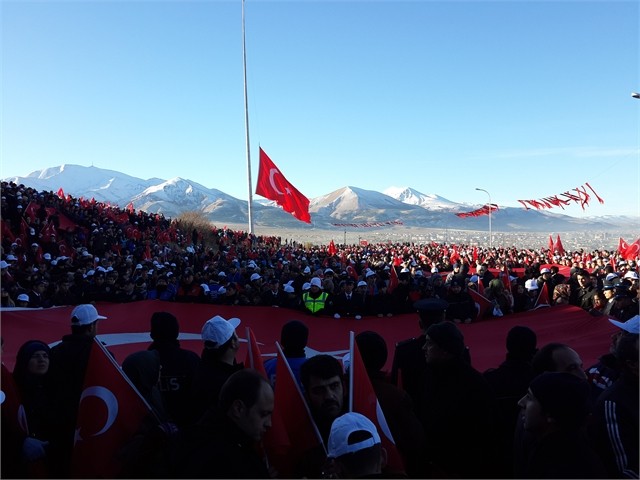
(110, 413)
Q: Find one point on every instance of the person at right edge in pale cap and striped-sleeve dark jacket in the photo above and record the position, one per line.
(615, 422)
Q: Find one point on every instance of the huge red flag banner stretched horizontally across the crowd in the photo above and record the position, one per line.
(126, 330)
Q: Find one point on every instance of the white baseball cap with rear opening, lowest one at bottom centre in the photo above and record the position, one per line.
(343, 427)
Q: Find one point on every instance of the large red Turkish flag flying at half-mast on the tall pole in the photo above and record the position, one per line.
(274, 186)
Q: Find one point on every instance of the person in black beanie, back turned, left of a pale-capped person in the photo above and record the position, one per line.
(178, 367)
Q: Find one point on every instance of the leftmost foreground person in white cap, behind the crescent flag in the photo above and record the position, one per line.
(69, 360)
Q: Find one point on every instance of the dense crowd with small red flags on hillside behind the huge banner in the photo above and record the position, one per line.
(60, 250)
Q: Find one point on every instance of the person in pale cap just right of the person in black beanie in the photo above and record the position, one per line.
(217, 361)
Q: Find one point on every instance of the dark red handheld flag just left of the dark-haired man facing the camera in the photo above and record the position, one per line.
(293, 431)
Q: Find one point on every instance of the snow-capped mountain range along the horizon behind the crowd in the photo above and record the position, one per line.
(345, 205)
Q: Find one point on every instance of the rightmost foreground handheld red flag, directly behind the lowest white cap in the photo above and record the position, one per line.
(363, 400)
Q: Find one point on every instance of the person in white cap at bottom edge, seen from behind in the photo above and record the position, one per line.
(354, 449)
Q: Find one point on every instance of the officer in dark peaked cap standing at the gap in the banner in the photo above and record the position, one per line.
(409, 364)
